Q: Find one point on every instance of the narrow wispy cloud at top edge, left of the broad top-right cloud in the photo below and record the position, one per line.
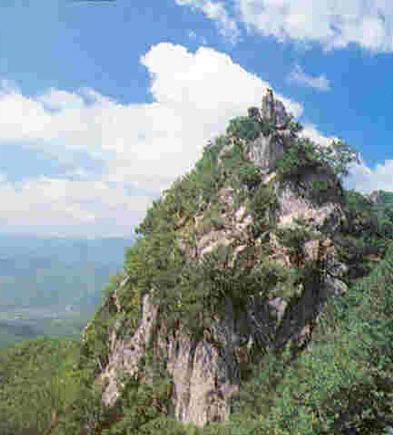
(216, 11)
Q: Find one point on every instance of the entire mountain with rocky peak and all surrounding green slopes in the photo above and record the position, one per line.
(257, 299)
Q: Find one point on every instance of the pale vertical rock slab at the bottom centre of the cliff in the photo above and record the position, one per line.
(204, 375)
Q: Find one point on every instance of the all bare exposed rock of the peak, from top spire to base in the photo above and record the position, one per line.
(206, 372)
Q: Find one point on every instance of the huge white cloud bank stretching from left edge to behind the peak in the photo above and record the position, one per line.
(143, 147)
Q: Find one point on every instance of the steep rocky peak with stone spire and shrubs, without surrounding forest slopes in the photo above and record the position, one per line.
(236, 260)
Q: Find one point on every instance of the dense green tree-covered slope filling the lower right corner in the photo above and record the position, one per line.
(343, 380)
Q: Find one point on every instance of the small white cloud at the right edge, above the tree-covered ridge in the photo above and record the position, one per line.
(366, 180)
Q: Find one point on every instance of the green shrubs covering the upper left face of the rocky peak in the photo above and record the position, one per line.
(185, 287)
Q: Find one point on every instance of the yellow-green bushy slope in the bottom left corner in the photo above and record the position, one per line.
(37, 384)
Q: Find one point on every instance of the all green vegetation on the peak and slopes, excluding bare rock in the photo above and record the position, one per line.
(341, 380)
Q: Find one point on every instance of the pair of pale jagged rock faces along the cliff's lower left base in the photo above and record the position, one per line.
(203, 375)
